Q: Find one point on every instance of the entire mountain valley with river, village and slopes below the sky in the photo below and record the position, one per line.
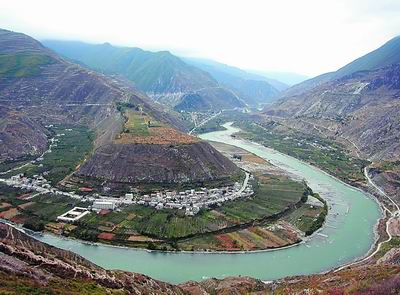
(194, 172)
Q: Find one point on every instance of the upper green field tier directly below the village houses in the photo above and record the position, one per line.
(272, 196)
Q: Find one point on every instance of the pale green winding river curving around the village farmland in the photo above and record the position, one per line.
(347, 234)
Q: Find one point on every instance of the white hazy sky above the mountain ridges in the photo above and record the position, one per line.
(309, 37)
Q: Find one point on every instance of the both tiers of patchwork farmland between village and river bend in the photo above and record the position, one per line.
(141, 226)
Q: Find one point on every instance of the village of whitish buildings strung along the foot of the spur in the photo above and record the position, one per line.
(190, 200)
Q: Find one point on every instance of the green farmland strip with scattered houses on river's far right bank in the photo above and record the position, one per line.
(323, 152)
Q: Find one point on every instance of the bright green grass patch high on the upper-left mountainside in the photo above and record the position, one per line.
(22, 64)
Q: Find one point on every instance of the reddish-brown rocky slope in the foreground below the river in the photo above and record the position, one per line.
(28, 266)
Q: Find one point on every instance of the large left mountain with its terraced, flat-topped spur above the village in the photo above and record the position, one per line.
(38, 88)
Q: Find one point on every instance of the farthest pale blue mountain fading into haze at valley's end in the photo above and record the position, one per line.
(253, 89)
